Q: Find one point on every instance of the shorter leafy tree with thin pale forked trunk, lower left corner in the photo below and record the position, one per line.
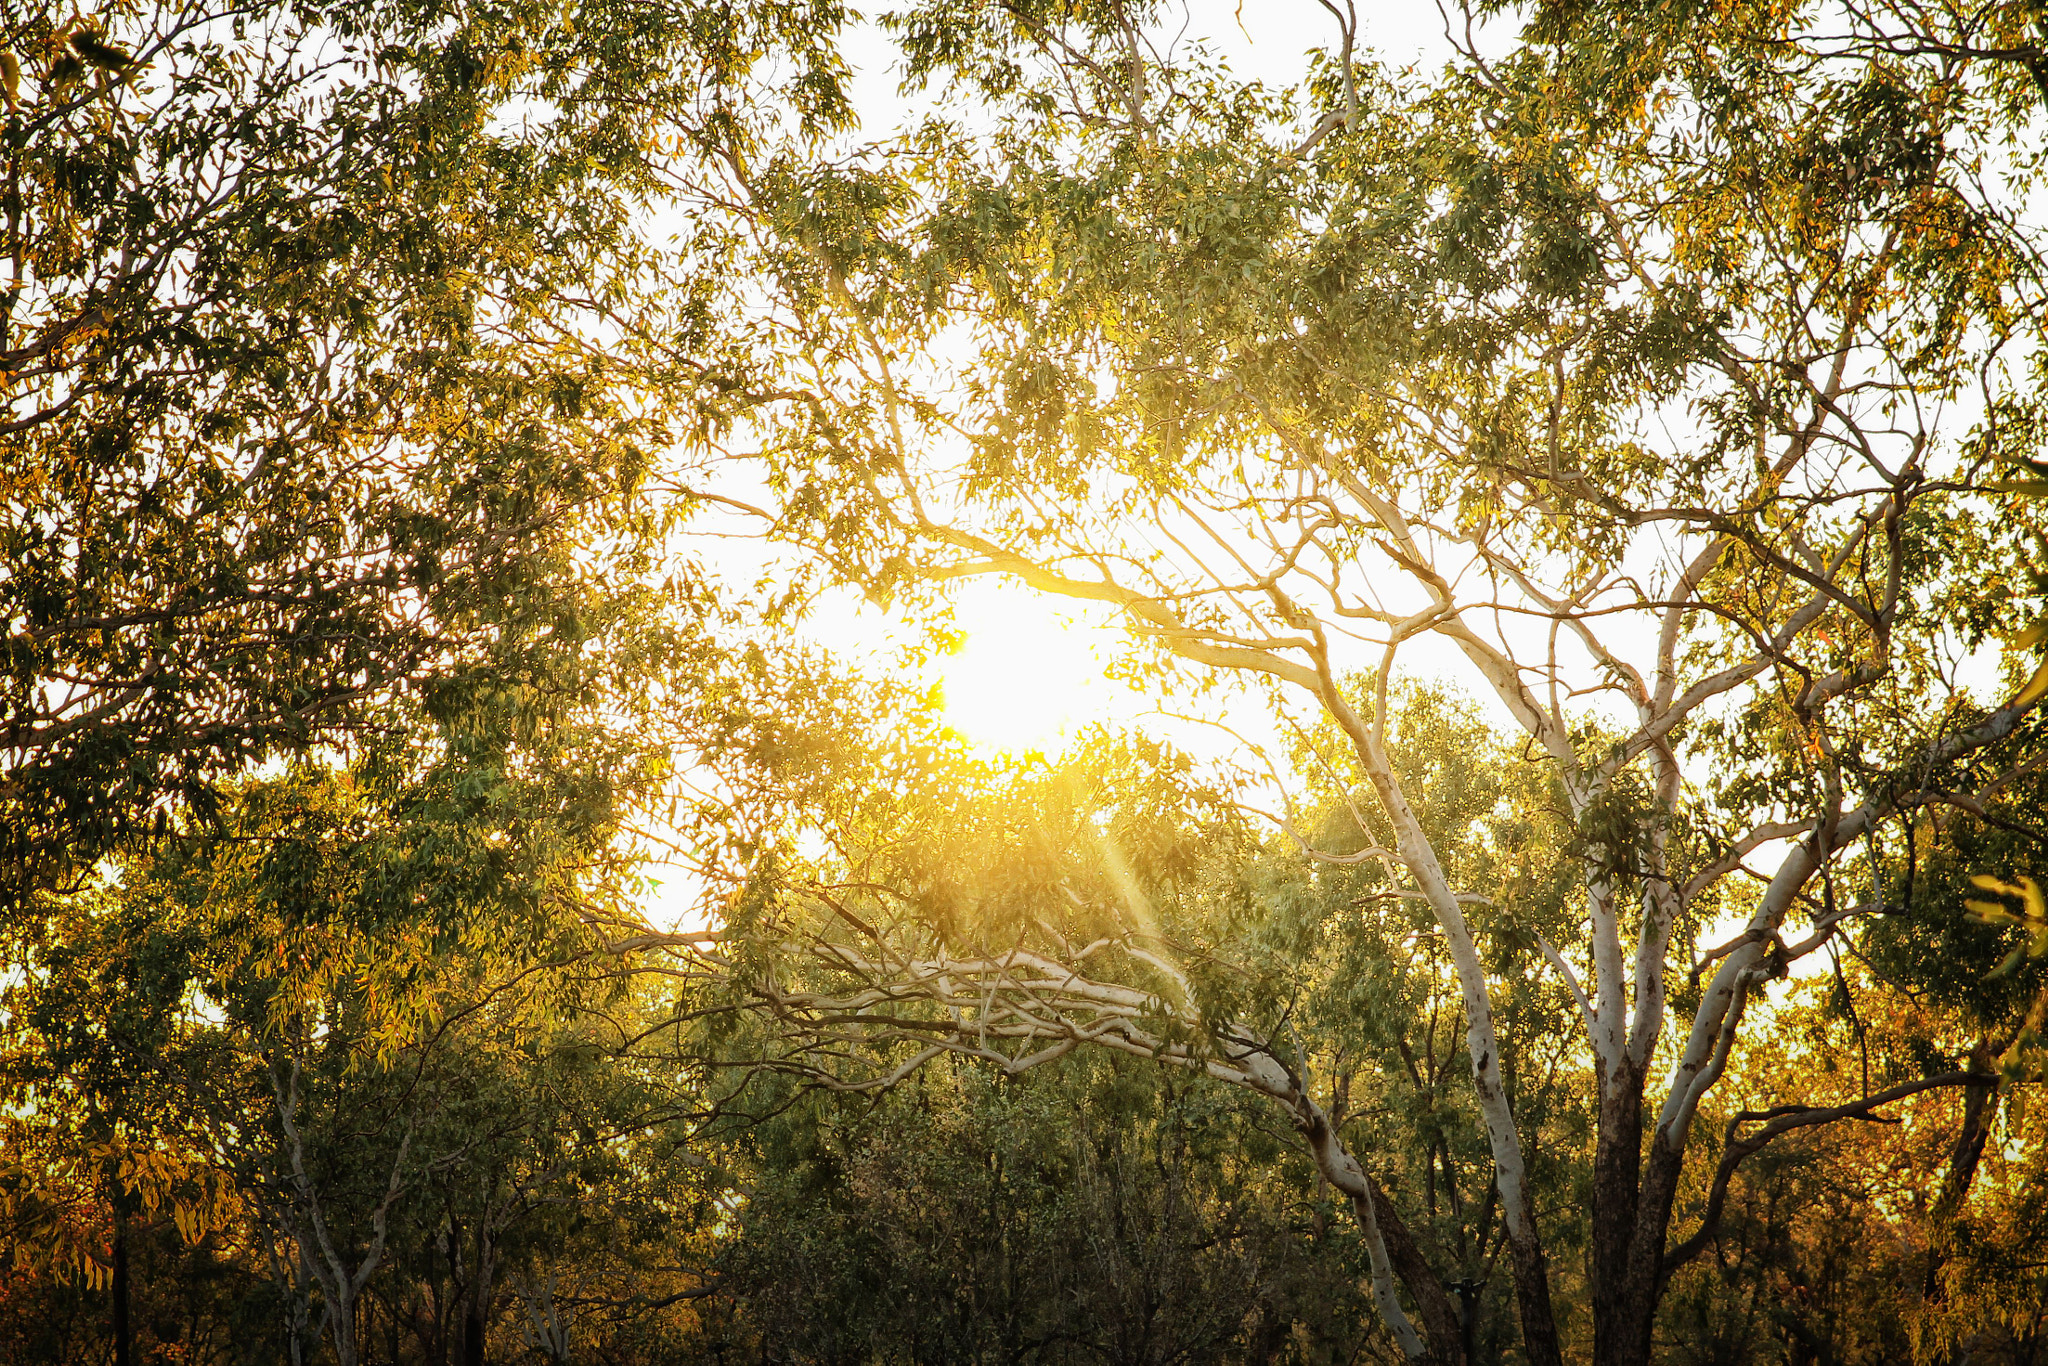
(357, 1043)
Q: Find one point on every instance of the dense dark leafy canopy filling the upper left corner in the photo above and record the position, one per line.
(306, 404)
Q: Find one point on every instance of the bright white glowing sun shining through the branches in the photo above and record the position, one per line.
(1029, 673)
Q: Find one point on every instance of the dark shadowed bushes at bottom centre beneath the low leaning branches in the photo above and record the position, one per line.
(1101, 1213)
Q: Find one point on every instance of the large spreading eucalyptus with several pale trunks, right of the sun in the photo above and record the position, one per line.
(1654, 378)
